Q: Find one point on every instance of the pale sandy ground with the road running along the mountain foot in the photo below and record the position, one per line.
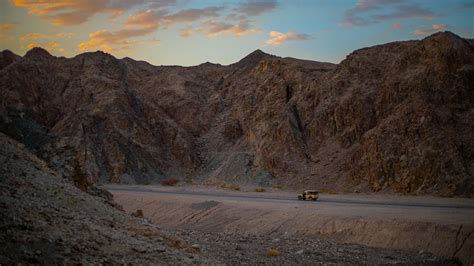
(442, 226)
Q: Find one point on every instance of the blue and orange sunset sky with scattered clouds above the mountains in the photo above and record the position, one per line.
(191, 32)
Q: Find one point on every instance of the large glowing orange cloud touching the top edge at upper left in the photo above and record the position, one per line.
(74, 12)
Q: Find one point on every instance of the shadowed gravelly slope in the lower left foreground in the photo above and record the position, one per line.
(46, 220)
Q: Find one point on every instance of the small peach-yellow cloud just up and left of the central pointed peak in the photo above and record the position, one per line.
(214, 28)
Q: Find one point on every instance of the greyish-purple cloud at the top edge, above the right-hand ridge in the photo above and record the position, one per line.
(367, 12)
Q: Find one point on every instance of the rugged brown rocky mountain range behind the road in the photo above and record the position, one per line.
(393, 117)
